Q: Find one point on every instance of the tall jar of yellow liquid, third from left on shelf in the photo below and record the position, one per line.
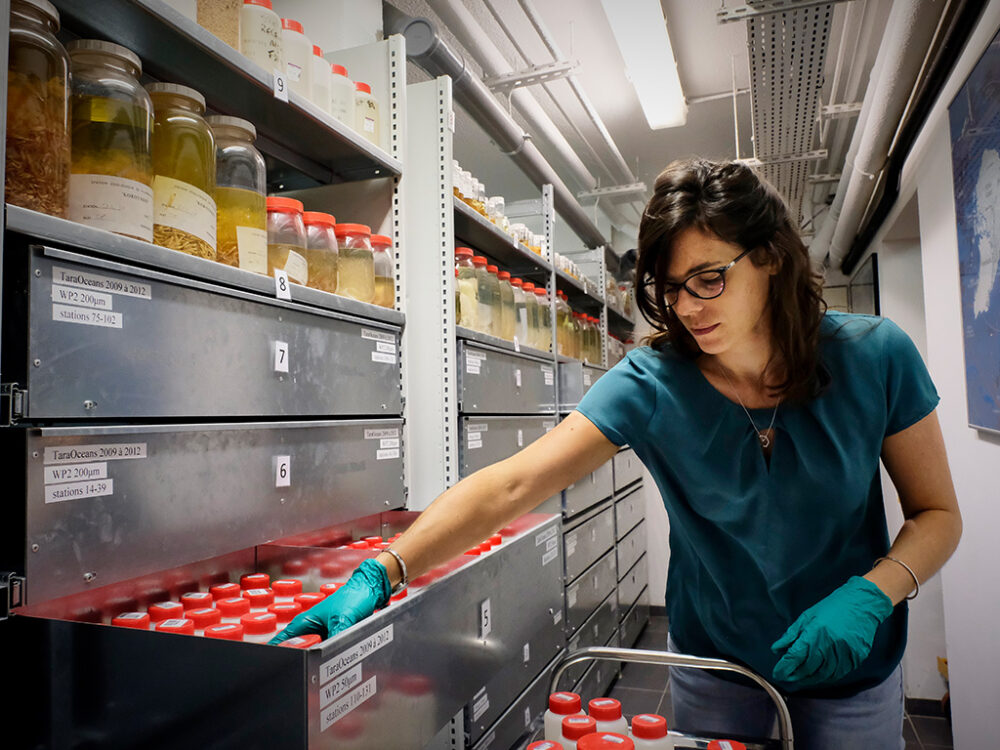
(184, 214)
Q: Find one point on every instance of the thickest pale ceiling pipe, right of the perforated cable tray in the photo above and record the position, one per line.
(910, 28)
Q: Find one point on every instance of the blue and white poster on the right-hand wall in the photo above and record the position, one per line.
(974, 117)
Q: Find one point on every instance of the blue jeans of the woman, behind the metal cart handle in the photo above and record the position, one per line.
(709, 706)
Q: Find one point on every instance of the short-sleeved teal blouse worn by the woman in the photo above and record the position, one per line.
(753, 544)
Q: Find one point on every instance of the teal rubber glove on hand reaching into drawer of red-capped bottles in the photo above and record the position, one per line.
(365, 591)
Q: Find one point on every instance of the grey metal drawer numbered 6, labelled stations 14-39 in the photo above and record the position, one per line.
(109, 503)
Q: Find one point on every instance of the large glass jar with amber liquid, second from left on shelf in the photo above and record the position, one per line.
(111, 115)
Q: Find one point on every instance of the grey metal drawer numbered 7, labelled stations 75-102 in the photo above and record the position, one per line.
(112, 341)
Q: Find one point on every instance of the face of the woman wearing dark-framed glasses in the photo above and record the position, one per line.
(737, 317)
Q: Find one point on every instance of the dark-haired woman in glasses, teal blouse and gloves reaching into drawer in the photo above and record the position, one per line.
(762, 420)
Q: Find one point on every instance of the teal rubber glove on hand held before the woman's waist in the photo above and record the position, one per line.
(833, 637)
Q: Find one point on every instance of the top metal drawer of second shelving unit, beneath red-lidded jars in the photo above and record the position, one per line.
(492, 381)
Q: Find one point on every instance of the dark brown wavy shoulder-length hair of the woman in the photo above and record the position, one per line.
(737, 205)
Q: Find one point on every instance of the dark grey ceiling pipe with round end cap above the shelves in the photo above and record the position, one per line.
(426, 48)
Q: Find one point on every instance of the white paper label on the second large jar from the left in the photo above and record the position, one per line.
(112, 203)
